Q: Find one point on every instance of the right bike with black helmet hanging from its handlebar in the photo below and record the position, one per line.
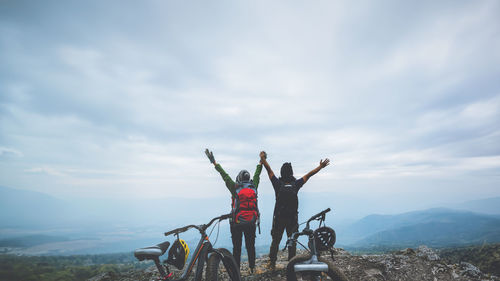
(311, 266)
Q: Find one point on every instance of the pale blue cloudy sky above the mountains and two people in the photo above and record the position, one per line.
(118, 99)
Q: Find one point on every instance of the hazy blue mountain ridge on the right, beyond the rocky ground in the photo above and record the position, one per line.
(433, 227)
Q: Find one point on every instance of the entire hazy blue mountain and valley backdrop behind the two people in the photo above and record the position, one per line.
(30, 218)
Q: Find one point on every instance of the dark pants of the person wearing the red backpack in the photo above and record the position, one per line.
(236, 235)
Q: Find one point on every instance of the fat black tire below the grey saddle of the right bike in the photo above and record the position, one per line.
(333, 272)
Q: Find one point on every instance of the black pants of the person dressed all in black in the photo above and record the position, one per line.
(279, 225)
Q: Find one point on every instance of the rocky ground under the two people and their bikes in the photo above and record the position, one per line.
(410, 264)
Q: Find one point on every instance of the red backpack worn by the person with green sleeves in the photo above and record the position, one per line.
(245, 209)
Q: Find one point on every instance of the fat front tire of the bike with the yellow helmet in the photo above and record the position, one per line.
(214, 269)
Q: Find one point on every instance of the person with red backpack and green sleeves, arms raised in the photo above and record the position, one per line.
(244, 208)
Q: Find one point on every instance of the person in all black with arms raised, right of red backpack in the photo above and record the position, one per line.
(287, 203)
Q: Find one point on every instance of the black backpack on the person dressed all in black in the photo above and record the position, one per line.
(287, 202)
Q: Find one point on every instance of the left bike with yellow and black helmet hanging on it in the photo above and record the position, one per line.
(177, 256)
